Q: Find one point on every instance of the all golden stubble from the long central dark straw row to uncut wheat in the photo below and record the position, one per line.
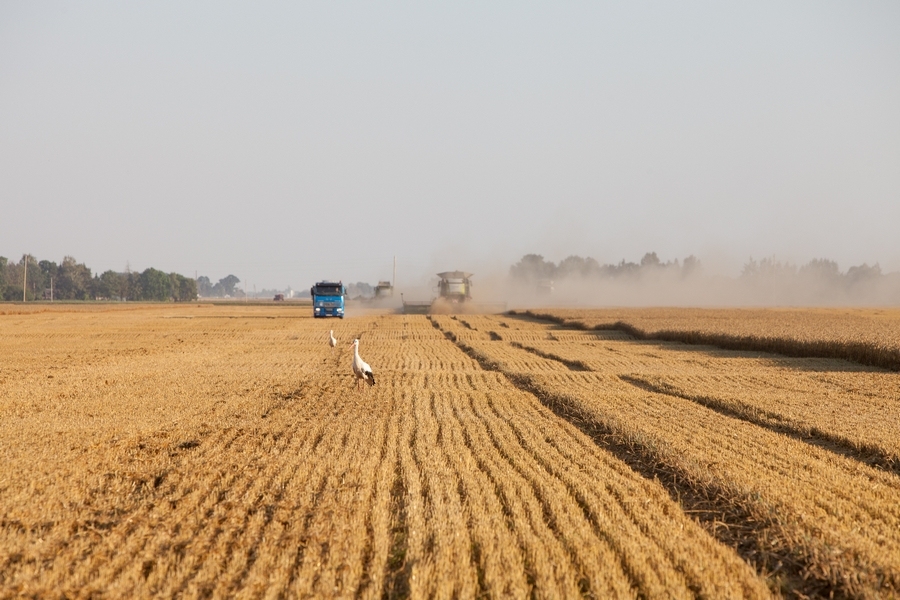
(718, 420)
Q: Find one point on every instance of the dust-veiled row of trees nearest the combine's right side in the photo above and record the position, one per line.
(533, 267)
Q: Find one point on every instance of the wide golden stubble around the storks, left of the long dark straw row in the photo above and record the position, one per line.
(224, 451)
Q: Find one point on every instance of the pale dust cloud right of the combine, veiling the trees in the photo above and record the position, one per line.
(582, 282)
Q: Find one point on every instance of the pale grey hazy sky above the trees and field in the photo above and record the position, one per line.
(290, 142)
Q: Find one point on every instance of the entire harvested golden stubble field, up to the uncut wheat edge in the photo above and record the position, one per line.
(224, 451)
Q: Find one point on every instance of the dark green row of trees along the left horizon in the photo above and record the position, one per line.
(71, 280)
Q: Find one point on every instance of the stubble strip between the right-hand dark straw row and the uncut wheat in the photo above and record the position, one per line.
(851, 407)
